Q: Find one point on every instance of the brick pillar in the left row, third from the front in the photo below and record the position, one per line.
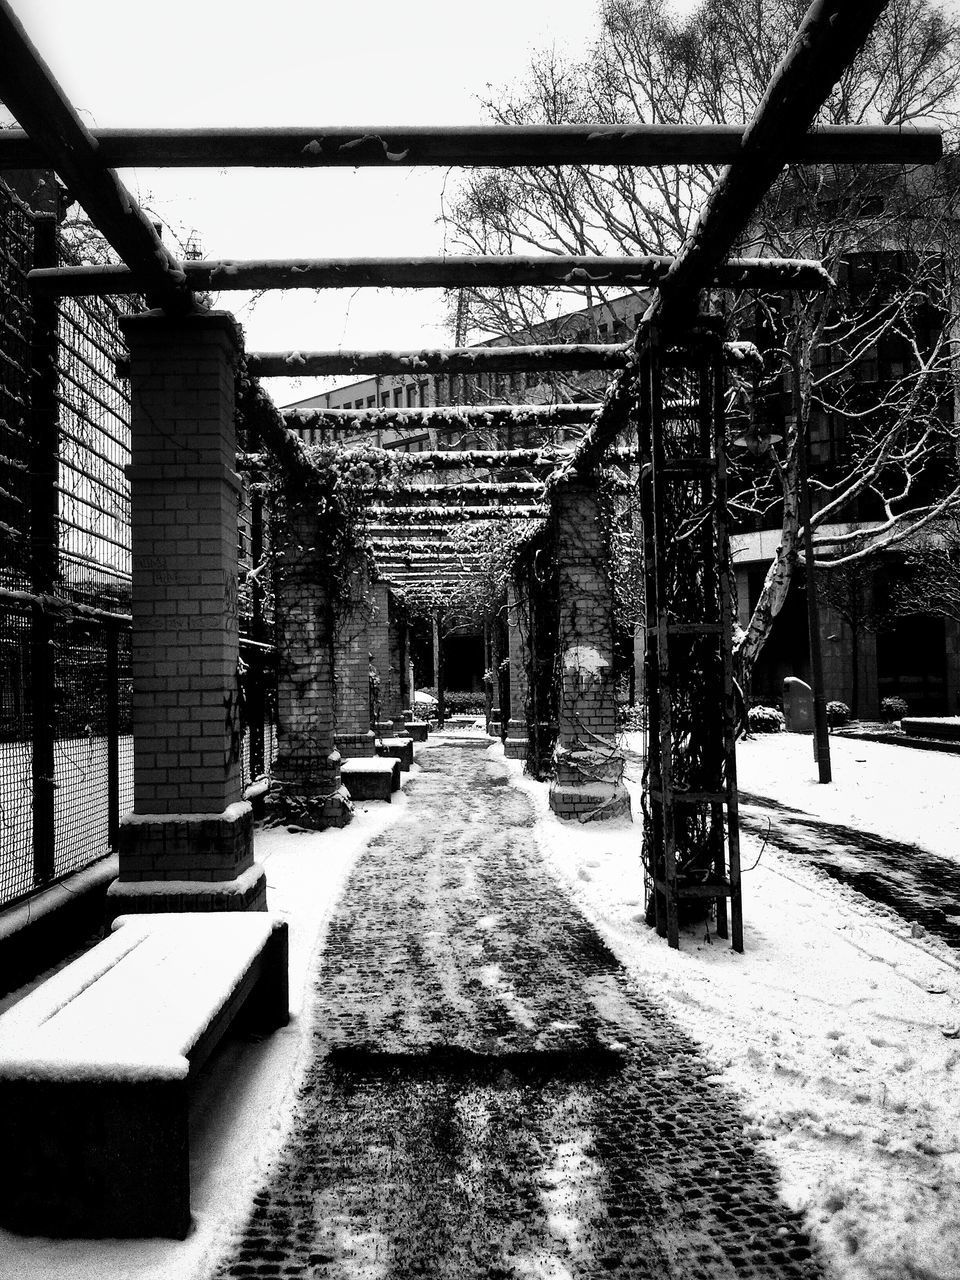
(351, 671)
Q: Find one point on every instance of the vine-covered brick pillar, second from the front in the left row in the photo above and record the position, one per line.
(307, 778)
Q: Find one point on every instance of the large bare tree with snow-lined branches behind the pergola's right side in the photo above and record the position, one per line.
(866, 376)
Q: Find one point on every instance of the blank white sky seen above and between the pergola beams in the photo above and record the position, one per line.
(301, 63)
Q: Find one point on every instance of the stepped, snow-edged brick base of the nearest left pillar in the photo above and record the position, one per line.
(199, 862)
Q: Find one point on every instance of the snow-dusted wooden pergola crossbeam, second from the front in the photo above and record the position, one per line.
(432, 273)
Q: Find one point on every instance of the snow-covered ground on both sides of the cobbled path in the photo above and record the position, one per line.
(838, 1028)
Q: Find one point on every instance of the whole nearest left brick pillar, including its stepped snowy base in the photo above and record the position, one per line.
(189, 844)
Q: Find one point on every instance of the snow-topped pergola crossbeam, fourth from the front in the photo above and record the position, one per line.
(452, 418)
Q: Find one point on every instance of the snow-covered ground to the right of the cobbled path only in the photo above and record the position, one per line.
(838, 1028)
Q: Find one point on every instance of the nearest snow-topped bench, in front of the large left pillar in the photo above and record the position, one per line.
(97, 1066)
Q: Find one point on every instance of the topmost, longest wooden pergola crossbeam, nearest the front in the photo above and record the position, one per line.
(486, 145)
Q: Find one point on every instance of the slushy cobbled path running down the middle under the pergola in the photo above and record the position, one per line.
(491, 1096)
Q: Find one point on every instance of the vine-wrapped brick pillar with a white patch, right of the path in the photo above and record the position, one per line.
(589, 767)
